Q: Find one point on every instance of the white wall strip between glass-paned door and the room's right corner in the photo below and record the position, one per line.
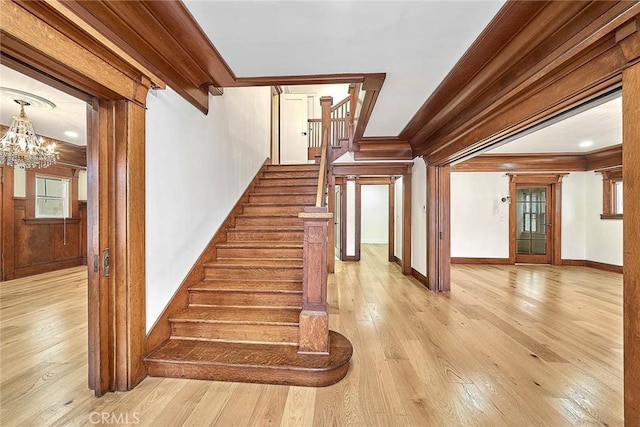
(574, 226)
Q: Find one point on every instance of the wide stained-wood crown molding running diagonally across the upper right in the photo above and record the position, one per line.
(535, 59)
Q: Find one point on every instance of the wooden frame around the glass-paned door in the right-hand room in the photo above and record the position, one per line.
(554, 199)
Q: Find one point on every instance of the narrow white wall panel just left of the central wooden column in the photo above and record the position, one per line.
(419, 216)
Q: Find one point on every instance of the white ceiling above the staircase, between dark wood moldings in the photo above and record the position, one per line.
(416, 43)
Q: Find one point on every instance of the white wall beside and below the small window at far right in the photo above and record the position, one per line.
(604, 236)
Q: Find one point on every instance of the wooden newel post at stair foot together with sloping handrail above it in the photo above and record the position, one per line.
(314, 317)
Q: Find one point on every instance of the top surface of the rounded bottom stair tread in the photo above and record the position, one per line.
(252, 355)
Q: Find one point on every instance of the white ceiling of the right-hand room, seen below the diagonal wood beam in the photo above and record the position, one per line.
(600, 125)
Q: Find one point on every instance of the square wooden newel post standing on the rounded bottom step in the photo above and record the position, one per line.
(314, 318)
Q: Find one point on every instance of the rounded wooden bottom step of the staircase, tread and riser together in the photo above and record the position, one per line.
(247, 362)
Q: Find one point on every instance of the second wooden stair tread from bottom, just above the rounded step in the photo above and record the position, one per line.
(239, 315)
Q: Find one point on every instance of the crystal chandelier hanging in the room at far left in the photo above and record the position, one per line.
(20, 146)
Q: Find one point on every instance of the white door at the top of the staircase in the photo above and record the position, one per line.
(293, 129)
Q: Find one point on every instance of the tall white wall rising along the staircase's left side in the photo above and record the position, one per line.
(197, 167)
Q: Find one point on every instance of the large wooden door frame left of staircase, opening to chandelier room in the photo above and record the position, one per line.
(115, 152)
